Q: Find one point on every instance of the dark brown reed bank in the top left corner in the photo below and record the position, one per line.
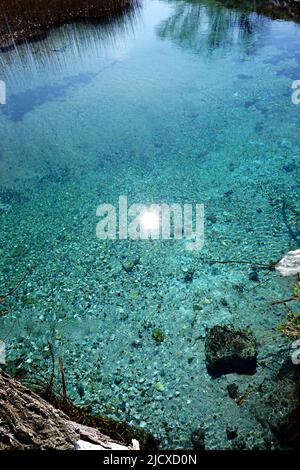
(27, 19)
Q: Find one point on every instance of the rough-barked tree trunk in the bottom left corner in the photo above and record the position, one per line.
(29, 422)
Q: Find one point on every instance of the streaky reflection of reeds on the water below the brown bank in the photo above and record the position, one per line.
(68, 51)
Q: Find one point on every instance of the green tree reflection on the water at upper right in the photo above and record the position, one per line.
(205, 26)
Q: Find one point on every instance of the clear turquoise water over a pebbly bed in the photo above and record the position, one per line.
(179, 102)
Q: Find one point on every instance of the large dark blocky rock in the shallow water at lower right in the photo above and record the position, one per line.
(230, 350)
